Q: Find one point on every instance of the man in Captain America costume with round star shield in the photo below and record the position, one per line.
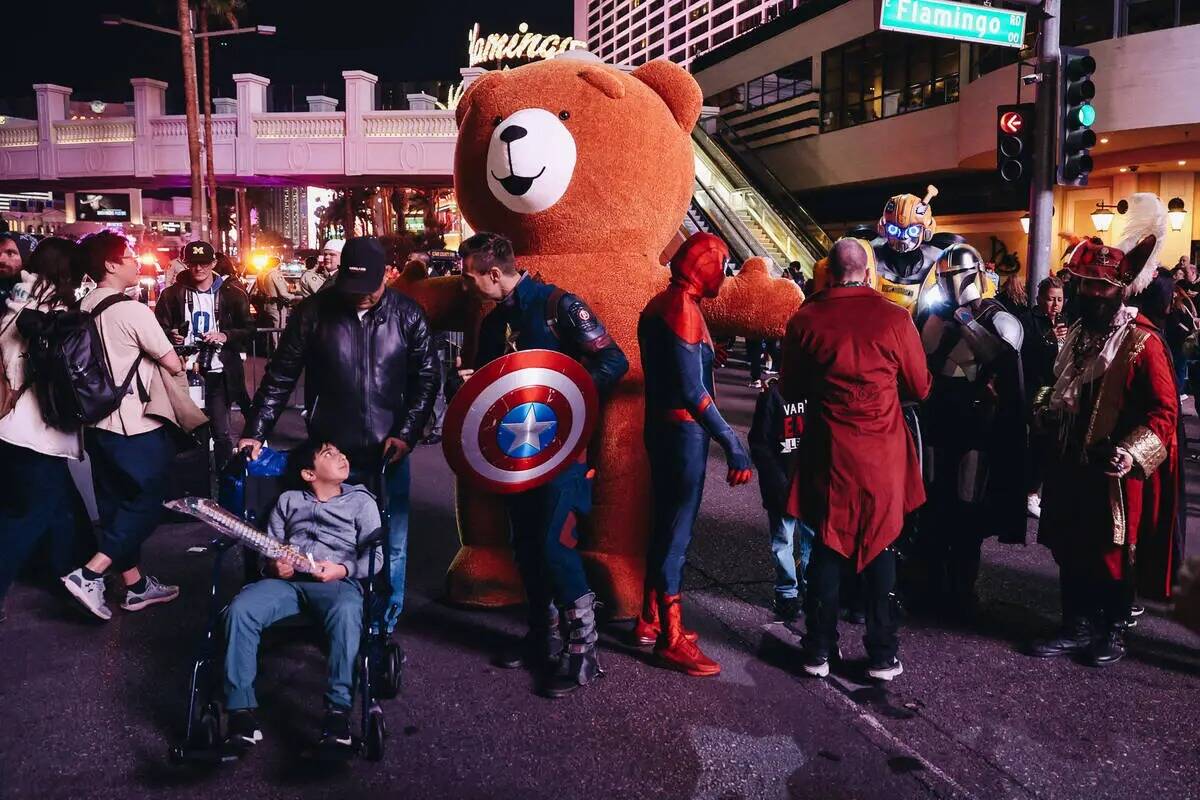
(536, 316)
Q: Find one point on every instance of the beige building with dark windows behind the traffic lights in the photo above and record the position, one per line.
(845, 116)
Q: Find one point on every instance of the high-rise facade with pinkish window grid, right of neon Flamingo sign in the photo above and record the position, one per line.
(637, 32)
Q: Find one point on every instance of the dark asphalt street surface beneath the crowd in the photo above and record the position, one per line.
(89, 707)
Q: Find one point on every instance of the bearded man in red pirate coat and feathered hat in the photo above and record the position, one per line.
(1109, 507)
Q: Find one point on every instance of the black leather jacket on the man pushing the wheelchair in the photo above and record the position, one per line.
(365, 380)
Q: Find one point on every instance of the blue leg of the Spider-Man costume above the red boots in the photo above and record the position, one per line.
(679, 458)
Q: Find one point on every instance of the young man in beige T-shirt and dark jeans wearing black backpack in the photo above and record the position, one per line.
(129, 450)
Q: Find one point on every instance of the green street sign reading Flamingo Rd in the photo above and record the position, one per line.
(958, 21)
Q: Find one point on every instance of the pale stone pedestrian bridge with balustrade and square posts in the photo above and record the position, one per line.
(251, 147)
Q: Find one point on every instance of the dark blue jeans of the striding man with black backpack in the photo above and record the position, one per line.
(130, 476)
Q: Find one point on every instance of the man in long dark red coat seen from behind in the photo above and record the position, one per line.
(853, 356)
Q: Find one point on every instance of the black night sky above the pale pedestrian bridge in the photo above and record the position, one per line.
(64, 43)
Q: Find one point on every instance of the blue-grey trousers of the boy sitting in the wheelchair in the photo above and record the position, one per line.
(338, 606)
